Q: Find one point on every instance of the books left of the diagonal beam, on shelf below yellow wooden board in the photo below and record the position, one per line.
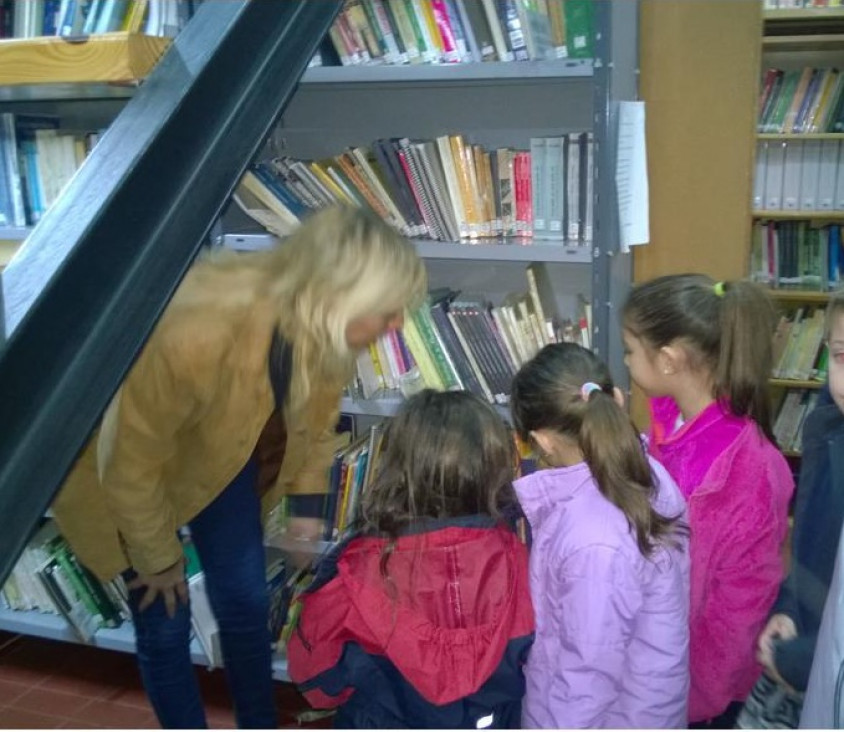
(36, 162)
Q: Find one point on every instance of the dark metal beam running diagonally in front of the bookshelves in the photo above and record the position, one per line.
(86, 289)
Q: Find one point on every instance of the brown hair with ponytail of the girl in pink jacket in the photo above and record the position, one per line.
(727, 328)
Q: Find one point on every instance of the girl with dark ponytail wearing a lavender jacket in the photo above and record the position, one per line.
(608, 564)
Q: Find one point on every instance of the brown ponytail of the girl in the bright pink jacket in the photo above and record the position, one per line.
(745, 358)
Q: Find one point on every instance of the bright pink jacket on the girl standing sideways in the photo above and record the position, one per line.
(738, 487)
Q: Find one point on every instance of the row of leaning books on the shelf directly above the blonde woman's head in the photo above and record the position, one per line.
(445, 189)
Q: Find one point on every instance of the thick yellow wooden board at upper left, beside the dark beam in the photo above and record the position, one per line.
(116, 58)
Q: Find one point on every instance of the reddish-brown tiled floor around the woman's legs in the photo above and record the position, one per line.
(49, 684)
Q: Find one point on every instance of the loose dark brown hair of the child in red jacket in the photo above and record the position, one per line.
(445, 455)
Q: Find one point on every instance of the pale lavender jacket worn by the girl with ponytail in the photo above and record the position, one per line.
(612, 634)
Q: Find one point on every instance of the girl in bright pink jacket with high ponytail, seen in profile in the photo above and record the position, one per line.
(702, 351)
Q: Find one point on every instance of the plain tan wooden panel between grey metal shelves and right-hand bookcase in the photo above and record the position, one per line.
(699, 78)
